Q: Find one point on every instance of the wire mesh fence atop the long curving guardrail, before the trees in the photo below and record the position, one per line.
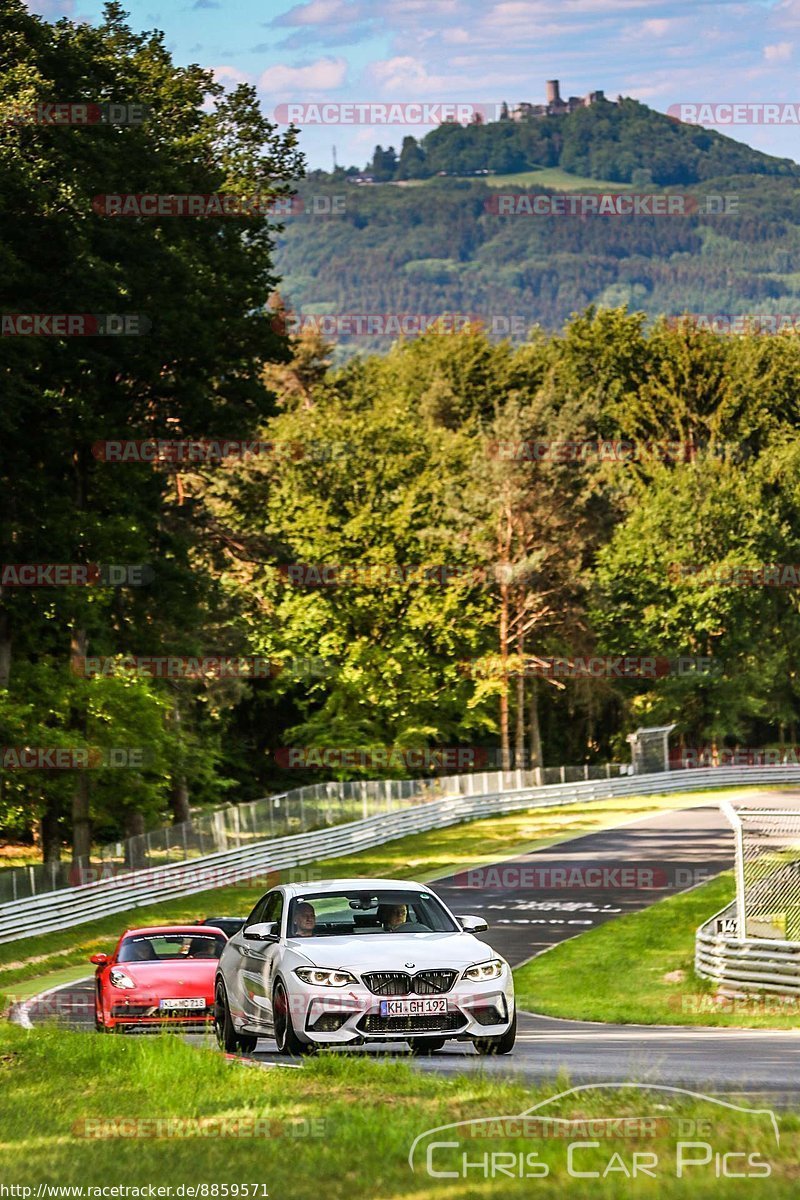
(300, 811)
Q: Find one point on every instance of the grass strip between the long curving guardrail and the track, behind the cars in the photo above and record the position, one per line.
(422, 857)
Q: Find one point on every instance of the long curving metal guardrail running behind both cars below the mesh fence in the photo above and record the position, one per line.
(75, 907)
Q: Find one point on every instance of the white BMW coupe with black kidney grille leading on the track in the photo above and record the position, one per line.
(353, 962)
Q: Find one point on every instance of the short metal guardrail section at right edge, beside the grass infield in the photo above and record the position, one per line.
(747, 967)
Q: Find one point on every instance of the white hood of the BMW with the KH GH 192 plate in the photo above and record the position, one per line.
(393, 952)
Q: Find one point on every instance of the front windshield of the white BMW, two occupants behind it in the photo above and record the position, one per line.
(380, 911)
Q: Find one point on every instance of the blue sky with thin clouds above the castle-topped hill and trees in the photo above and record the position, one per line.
(482, 52)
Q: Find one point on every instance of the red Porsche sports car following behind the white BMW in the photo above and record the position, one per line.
(158, 977)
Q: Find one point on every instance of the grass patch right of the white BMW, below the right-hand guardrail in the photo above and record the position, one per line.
(639, 969)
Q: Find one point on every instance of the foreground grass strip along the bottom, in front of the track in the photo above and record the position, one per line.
(342, 1127)
